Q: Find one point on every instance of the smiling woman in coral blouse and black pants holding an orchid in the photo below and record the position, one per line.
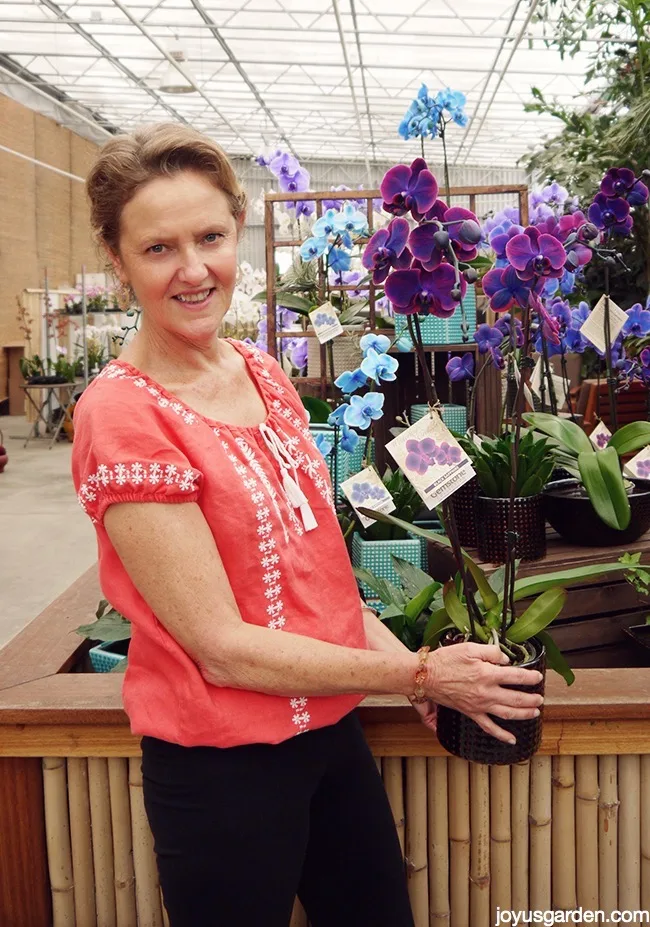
(247, 624)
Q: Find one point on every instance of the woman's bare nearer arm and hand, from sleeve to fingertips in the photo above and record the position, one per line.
(171, 557)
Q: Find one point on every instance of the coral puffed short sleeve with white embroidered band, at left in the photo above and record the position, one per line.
(126, 450)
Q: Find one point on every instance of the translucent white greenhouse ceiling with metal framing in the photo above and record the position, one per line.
(329, 79)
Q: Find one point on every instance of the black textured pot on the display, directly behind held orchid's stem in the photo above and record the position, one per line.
(528, 523)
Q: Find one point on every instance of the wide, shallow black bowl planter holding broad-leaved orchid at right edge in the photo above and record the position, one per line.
(569, 511)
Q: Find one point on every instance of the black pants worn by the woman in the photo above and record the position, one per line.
(239, 832)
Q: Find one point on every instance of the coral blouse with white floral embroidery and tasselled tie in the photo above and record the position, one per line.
(266, 495)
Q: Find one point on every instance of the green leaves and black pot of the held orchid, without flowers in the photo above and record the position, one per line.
(472, 606)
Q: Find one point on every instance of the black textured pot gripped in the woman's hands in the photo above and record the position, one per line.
(462, 737)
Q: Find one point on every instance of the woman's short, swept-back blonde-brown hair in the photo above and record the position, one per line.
(127, 162)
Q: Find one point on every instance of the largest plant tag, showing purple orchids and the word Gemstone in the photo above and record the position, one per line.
(432, 459)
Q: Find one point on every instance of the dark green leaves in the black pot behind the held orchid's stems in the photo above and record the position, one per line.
(493, 464)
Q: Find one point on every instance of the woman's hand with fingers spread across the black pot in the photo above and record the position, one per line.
(471, 677)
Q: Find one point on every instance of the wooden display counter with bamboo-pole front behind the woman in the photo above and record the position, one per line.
(570, 829)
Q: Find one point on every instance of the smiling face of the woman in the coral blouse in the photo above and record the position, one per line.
(178, 250)
